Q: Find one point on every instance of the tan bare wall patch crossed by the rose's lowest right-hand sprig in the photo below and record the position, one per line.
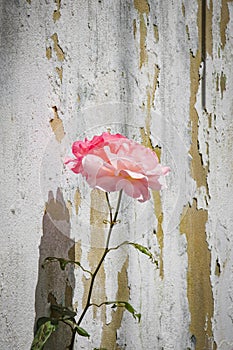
(109, 334)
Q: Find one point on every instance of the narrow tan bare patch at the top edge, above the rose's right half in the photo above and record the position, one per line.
(142, 7)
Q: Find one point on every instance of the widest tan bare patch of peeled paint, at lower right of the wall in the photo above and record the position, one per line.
(199, 290)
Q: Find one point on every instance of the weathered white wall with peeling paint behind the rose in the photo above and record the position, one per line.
(142, 68)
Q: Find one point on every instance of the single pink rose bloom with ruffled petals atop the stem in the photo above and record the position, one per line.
(113, 162)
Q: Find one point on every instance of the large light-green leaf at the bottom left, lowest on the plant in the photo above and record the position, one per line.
(43, 334)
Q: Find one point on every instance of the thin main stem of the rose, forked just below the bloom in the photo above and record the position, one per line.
(106, 250)
